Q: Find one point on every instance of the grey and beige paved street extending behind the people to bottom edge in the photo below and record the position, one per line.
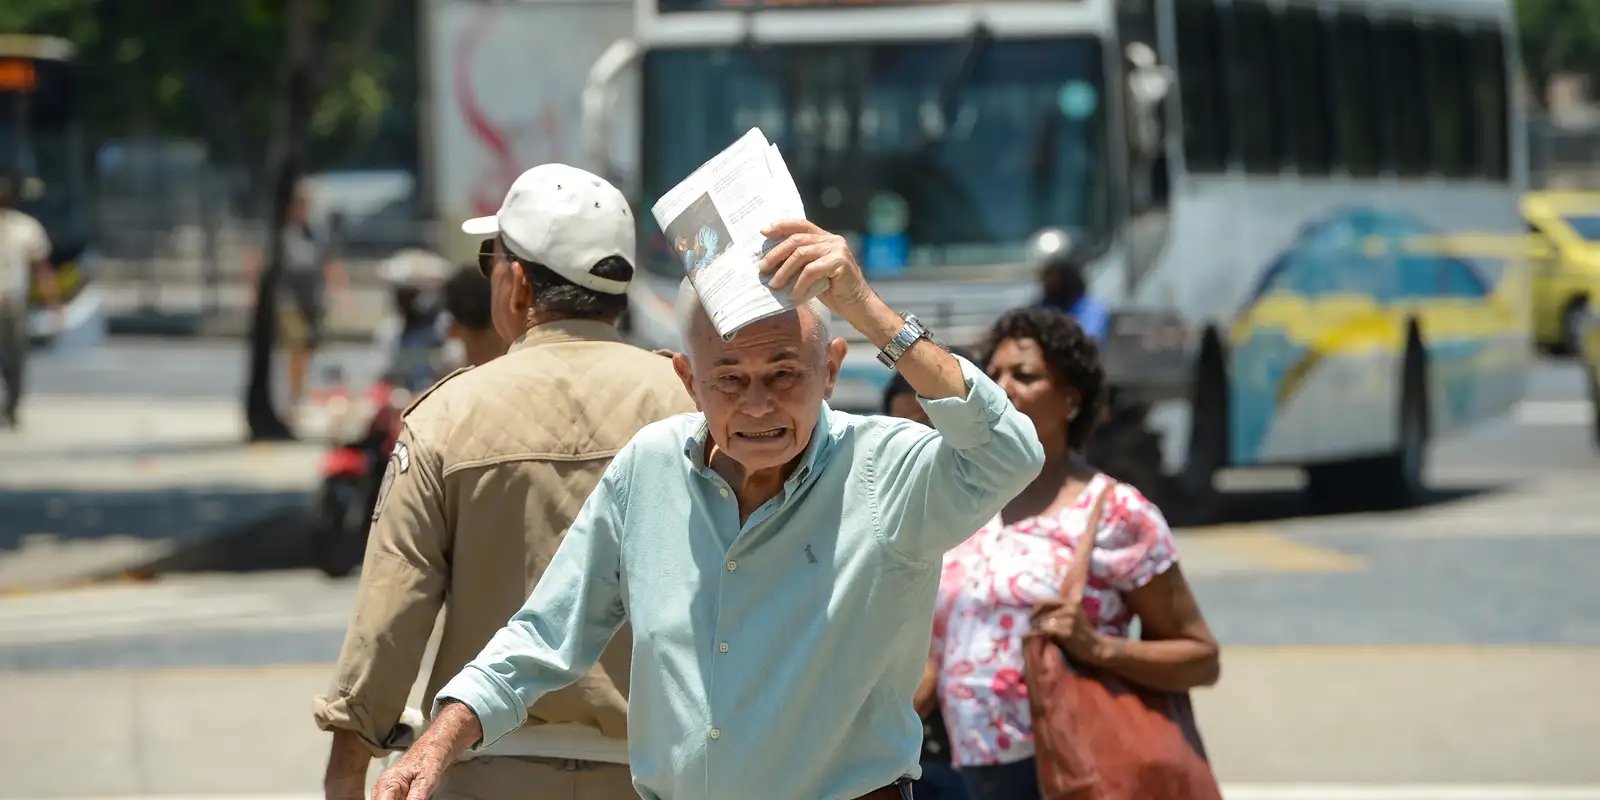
(1438, 654)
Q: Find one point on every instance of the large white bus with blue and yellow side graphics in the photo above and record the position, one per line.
(1252, 178)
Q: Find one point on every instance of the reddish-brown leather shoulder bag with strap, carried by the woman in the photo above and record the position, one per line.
(1098, 737)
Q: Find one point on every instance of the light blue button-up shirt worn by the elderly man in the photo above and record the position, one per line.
(774, 658)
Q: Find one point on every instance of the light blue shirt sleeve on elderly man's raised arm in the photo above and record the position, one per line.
(934, 489)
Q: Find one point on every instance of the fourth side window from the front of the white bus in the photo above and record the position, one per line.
(1361, 127)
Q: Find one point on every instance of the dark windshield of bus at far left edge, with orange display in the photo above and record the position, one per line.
(39, 140)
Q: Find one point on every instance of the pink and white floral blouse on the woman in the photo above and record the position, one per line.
(991, 585)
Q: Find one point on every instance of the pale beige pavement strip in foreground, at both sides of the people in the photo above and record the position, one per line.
(1286, 724)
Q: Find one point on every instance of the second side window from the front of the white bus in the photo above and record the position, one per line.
(1258, 81)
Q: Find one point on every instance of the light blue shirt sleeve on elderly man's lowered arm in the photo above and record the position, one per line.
(574, 612)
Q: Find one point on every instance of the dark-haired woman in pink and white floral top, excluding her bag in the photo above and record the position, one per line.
(1009, 575)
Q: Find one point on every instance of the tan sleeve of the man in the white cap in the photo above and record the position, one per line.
(404, 580)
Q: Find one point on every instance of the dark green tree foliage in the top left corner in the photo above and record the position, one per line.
(214, 71)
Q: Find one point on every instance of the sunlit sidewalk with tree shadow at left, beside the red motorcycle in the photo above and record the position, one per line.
(94, 487)
